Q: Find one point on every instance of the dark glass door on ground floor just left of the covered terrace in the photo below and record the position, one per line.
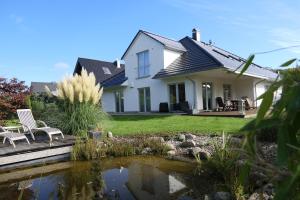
(177, 95)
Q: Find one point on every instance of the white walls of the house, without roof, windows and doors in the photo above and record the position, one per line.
(159, 58)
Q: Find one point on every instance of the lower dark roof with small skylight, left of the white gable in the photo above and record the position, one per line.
(97, 67)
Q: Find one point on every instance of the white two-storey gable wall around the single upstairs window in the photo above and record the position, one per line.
(158, 57)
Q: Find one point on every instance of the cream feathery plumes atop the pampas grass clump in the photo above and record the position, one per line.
(80, 88)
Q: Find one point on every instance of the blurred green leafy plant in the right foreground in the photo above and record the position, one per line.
(285, 113)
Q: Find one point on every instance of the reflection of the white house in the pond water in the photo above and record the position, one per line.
(147, 182)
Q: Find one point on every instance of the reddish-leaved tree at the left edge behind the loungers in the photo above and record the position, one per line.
(13, 95)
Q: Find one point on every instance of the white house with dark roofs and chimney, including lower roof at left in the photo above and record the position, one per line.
(159, 69)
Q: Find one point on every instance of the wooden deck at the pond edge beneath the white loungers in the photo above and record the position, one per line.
(38, 149)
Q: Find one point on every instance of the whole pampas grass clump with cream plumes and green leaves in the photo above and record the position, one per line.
(81, 95)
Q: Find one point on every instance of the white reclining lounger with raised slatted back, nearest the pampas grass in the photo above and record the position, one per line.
(30, 125)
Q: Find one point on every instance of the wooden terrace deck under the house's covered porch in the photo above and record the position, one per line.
(248, 113)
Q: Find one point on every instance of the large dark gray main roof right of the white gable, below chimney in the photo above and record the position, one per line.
(201, 56)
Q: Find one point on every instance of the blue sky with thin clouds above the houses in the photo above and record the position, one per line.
(41, 40)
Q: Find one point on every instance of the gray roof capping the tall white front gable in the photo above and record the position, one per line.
(168, 43)
